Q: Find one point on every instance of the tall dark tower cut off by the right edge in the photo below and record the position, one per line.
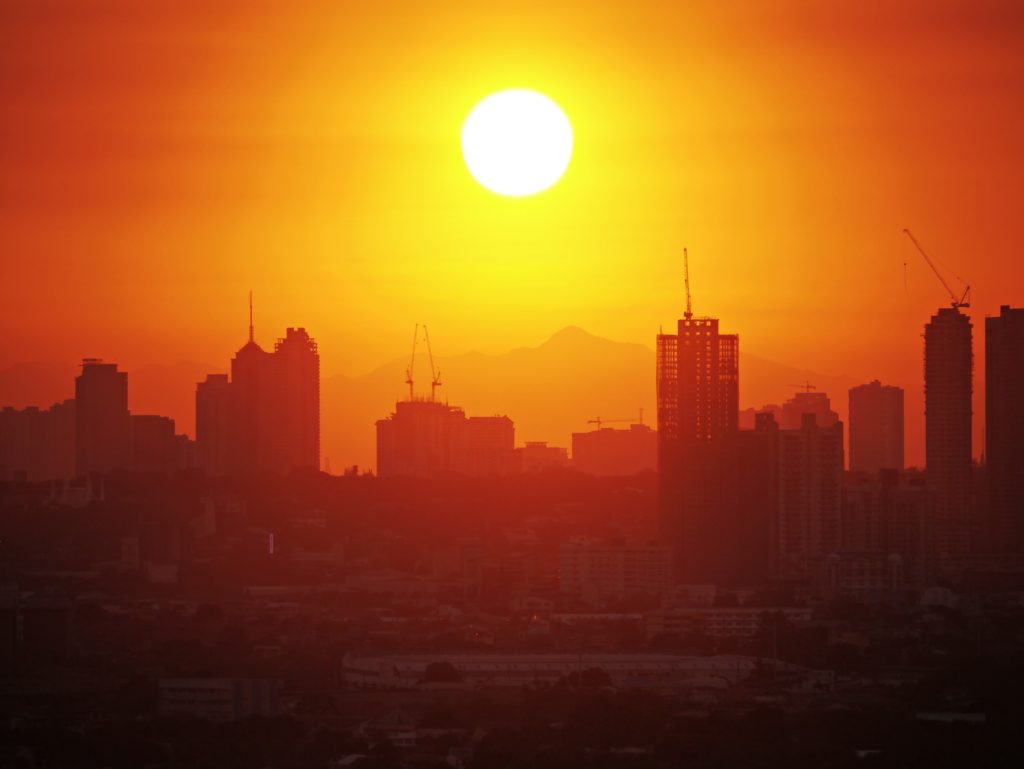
(1005, 429)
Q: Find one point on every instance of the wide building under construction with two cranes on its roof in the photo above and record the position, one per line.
(425, 438)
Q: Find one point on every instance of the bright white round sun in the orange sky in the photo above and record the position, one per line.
(518, 143)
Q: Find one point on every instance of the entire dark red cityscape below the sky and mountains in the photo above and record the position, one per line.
(724, 591)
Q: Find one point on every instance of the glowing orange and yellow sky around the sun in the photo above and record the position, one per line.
(158, 159)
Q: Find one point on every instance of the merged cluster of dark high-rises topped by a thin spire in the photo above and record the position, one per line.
(267, 417)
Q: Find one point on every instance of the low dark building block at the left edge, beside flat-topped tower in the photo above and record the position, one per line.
(37, 444)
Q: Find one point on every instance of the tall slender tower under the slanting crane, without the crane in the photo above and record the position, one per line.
(949, 370)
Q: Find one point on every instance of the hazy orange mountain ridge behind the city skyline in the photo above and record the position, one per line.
(549, 392)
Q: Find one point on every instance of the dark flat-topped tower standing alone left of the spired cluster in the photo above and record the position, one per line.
(103, 430)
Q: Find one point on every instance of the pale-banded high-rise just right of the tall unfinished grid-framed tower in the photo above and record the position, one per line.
(810, 497)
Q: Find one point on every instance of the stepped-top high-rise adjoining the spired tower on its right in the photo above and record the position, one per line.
(296, 402)
